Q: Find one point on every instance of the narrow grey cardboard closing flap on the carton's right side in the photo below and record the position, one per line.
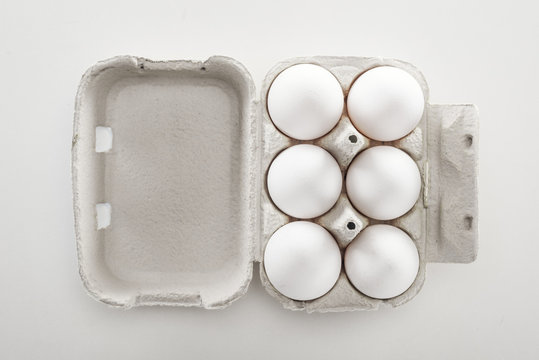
(451, 199)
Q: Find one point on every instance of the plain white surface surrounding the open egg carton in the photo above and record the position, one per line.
(485, 52)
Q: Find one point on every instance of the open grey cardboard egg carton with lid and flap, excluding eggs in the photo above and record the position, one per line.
(169, 163)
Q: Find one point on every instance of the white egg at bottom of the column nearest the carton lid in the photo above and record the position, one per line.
(302, 260)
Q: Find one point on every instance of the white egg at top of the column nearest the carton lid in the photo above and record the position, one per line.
(305, 101)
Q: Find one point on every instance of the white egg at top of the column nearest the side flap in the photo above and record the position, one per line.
(385, 103)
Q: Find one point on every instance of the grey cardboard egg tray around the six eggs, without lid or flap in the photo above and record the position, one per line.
(343, 221)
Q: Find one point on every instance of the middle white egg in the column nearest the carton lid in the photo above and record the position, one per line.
(304, 181)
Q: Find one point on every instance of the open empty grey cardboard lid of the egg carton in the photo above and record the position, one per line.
(165, 180)
